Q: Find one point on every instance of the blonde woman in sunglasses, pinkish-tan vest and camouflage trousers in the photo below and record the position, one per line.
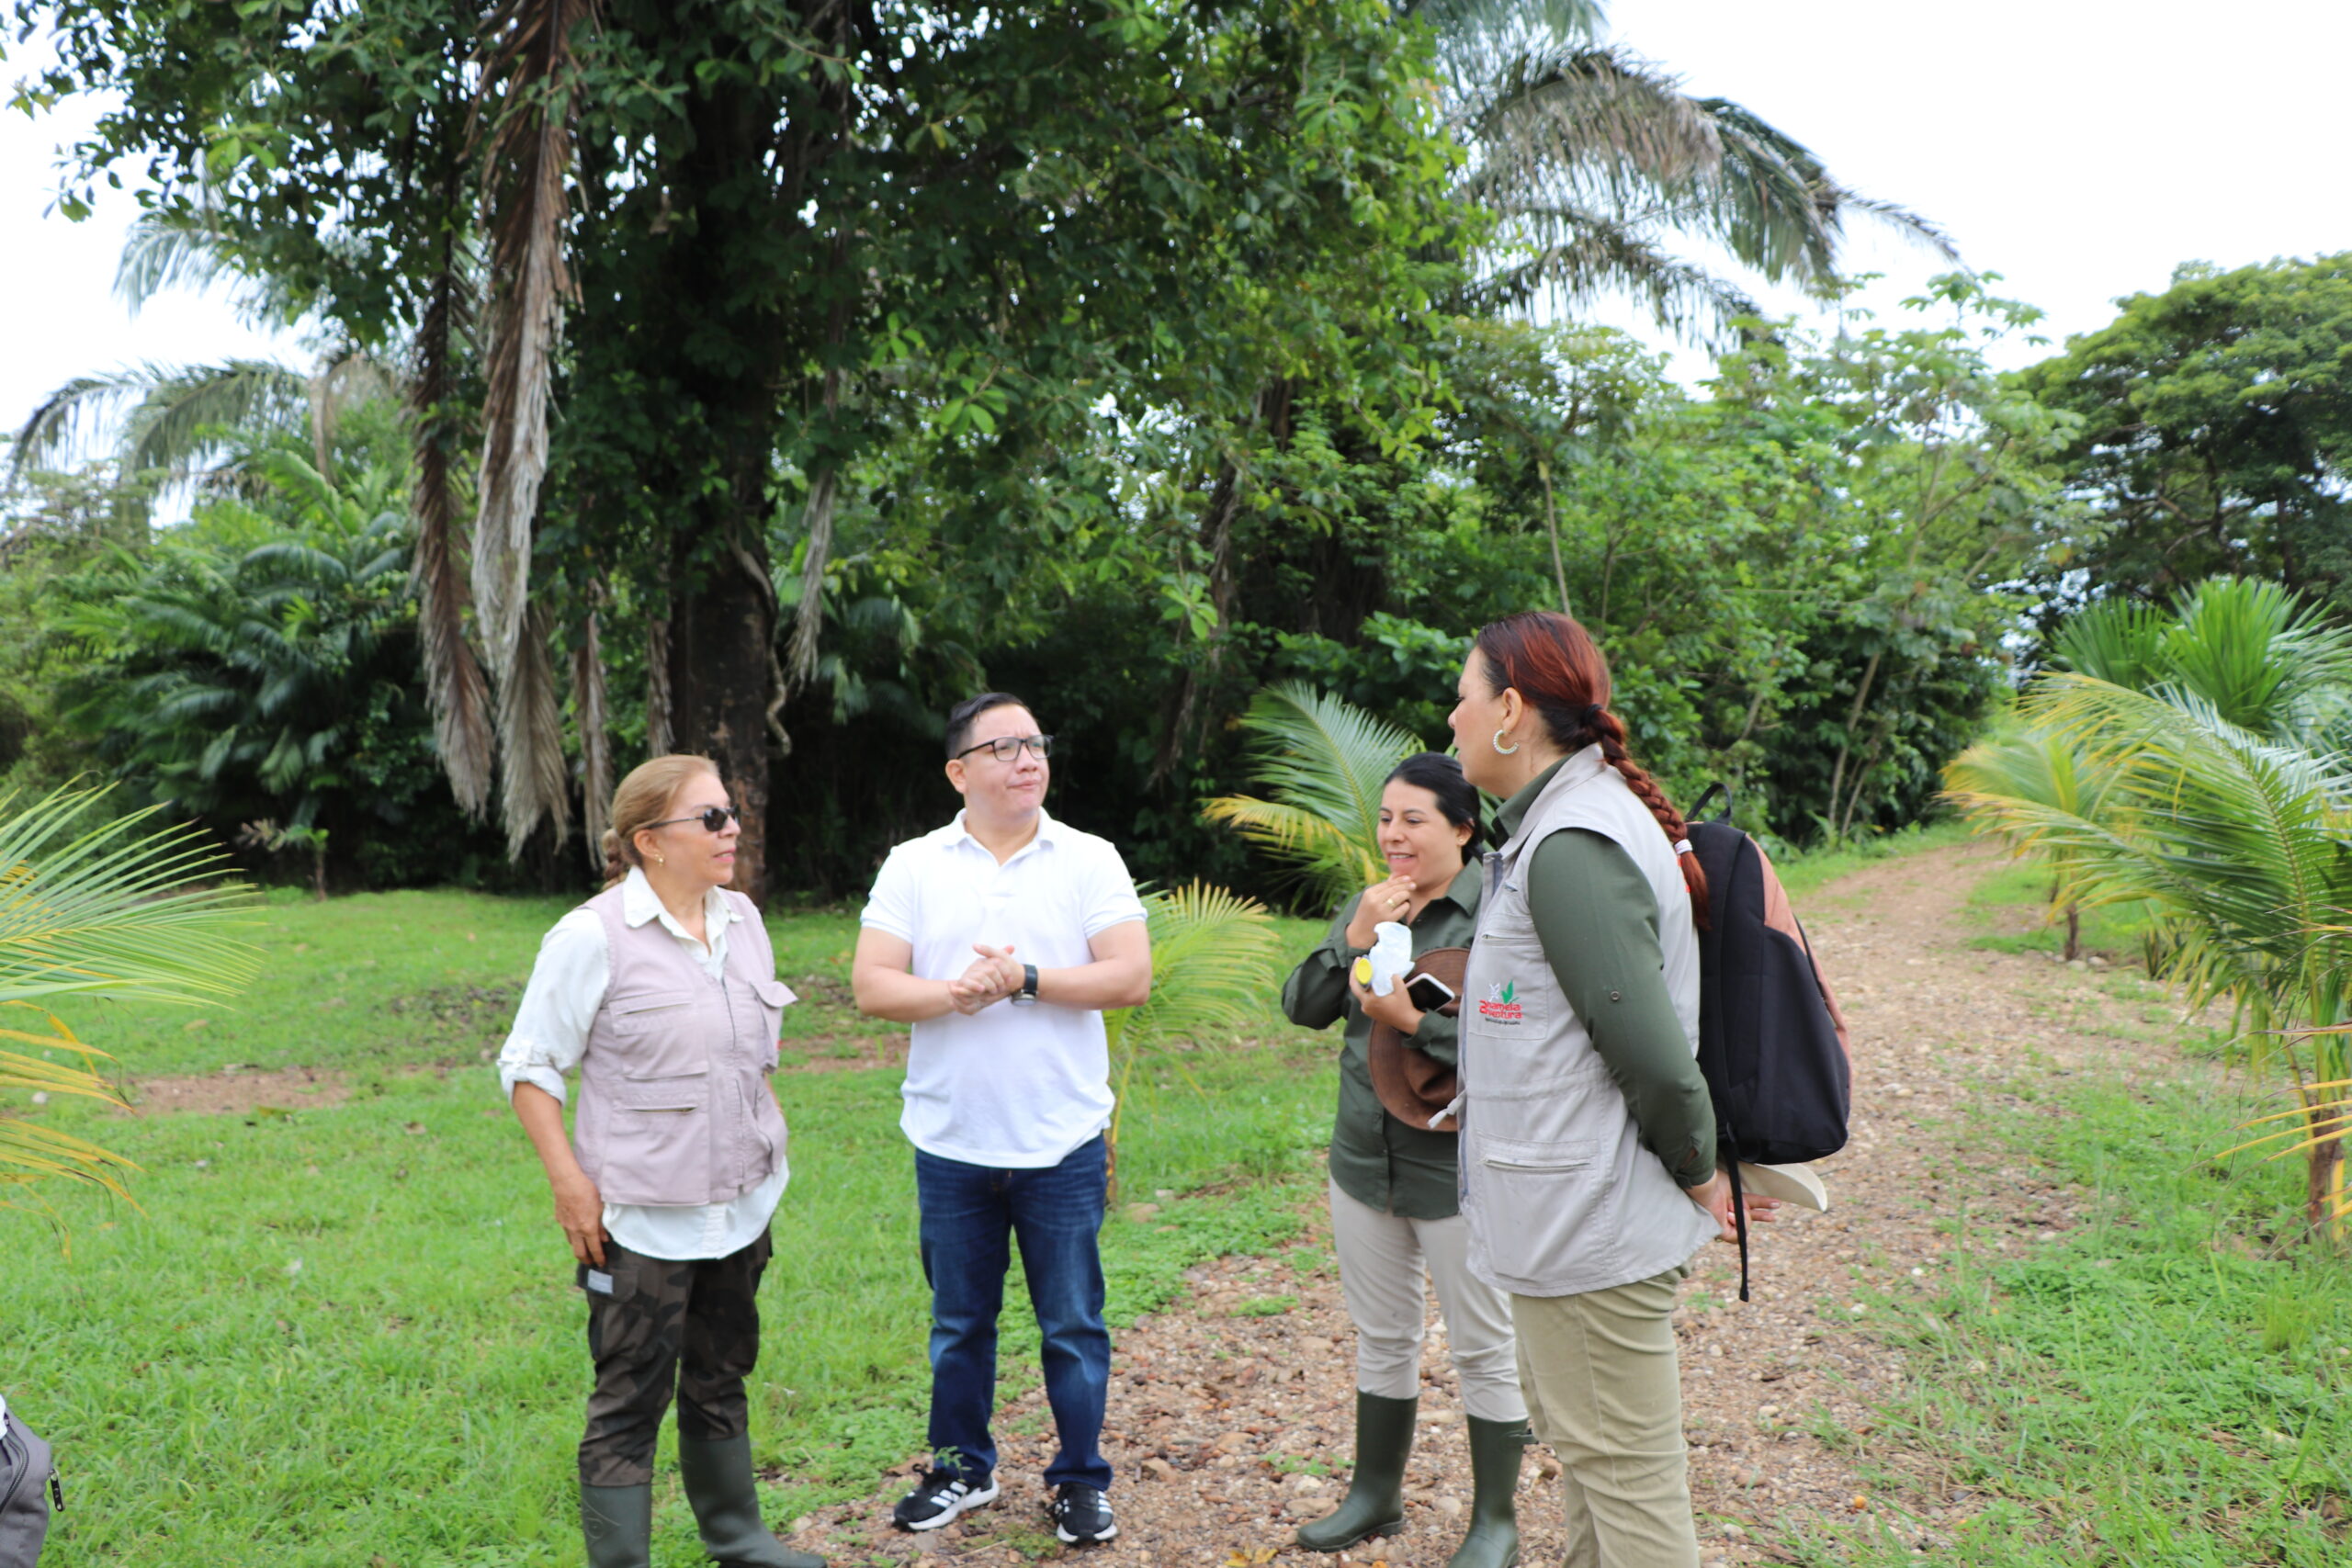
(662, 993)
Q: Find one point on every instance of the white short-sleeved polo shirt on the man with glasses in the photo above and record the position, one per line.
(1010, 1087)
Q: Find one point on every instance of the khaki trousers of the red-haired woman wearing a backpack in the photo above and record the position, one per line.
(1605, 1393)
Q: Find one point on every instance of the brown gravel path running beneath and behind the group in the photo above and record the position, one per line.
(1231, 1414)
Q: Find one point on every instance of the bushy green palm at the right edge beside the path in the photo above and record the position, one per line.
(2229, 810)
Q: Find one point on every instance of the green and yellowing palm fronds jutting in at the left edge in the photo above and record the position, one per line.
(114, 911)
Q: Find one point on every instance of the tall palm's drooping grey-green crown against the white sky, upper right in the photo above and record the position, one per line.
(1598, 168)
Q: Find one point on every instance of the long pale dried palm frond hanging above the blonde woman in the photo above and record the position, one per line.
(523, 192)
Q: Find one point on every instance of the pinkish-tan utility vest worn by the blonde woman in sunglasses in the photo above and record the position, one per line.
(674, 1101)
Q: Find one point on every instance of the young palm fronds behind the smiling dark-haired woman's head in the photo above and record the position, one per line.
(1323, 765)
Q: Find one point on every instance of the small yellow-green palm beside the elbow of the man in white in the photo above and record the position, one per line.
(1215, 967)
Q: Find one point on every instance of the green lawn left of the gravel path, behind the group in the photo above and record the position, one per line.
(349, 1334)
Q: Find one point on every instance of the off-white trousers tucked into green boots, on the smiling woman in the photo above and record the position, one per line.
(1387, 1266)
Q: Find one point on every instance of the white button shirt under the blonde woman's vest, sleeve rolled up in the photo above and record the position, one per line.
(552, 1036)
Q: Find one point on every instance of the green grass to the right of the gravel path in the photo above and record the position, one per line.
(2160, 1386)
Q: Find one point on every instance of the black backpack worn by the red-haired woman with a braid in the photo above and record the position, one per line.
(1770, 1040)
